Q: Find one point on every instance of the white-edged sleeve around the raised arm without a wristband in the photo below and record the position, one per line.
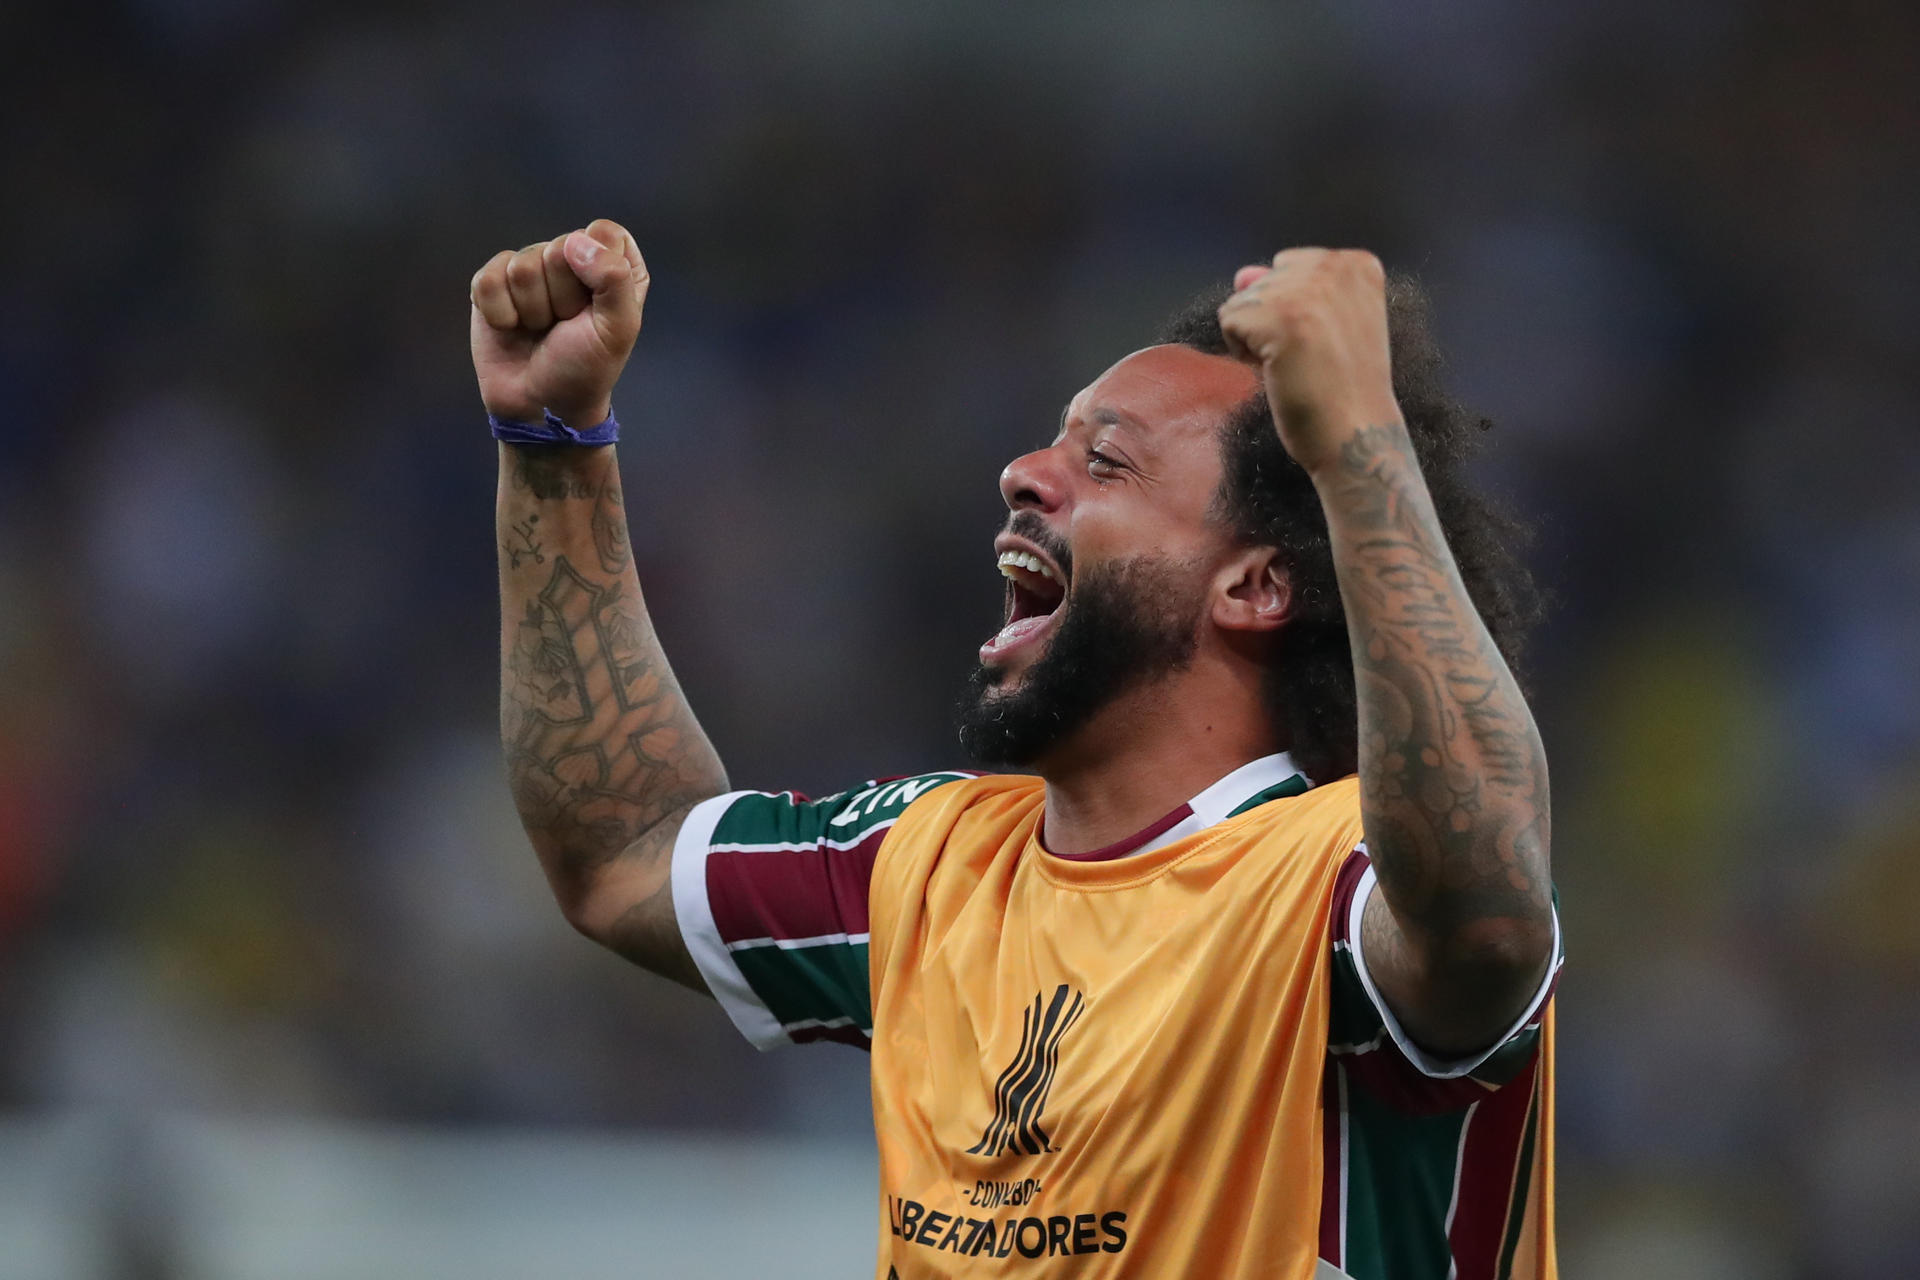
(1378, 1051)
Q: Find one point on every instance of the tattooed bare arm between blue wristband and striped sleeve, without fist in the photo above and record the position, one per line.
(604, 751)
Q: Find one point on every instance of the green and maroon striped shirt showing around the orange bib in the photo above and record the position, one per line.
(1428, 1164)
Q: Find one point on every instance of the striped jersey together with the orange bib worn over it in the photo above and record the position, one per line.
(1163, 1058)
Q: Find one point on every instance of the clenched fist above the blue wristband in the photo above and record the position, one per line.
(554, 325)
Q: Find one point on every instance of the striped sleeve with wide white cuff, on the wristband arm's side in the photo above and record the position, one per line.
(771, 891)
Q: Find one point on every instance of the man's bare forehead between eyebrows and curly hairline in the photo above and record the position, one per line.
(1170, 396)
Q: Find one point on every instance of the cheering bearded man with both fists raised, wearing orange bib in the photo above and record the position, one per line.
(1253, 978)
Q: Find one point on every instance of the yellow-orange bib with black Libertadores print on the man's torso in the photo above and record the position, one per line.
(1101, 1068)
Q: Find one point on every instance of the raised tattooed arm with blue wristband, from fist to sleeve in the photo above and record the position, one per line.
(604, 753)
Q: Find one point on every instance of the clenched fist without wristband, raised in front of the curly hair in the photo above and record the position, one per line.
(1314, 323)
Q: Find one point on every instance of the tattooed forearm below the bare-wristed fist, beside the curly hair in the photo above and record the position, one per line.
(1452, 774)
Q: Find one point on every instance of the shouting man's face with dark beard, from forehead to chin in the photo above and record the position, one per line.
(1109, 552)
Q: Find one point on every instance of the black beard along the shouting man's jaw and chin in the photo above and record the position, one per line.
(1124, 627)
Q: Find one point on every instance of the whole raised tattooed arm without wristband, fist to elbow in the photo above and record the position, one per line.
(1452, 774)
